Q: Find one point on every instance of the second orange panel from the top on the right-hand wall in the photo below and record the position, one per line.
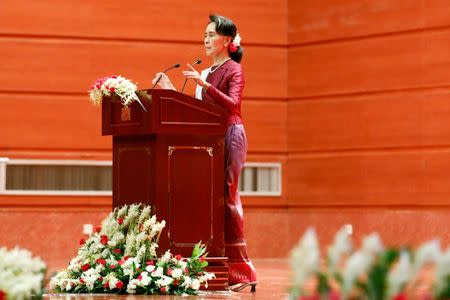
(394, 62)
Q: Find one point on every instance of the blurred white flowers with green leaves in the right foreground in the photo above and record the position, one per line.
(371, 272)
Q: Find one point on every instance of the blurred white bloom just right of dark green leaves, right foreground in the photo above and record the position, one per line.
(399, 276)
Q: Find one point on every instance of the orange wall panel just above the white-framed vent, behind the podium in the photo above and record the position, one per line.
(76, 124)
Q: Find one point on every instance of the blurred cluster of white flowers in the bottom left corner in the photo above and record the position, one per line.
(21, 274)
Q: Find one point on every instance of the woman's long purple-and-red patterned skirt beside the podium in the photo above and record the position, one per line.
(241, 268)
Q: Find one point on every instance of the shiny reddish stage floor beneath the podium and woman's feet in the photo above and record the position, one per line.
(273, 283)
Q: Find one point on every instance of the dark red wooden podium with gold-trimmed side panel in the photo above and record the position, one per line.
(171, 156)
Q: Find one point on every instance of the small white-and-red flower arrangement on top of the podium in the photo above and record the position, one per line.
(117, 84)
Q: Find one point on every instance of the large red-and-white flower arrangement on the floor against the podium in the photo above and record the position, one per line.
(120, 257)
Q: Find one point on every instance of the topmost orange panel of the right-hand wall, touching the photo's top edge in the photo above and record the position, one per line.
(321, 20)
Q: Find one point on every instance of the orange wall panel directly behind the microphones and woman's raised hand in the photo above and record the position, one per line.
(54, 65)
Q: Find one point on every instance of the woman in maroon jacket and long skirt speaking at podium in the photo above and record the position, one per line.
(222, 84)
